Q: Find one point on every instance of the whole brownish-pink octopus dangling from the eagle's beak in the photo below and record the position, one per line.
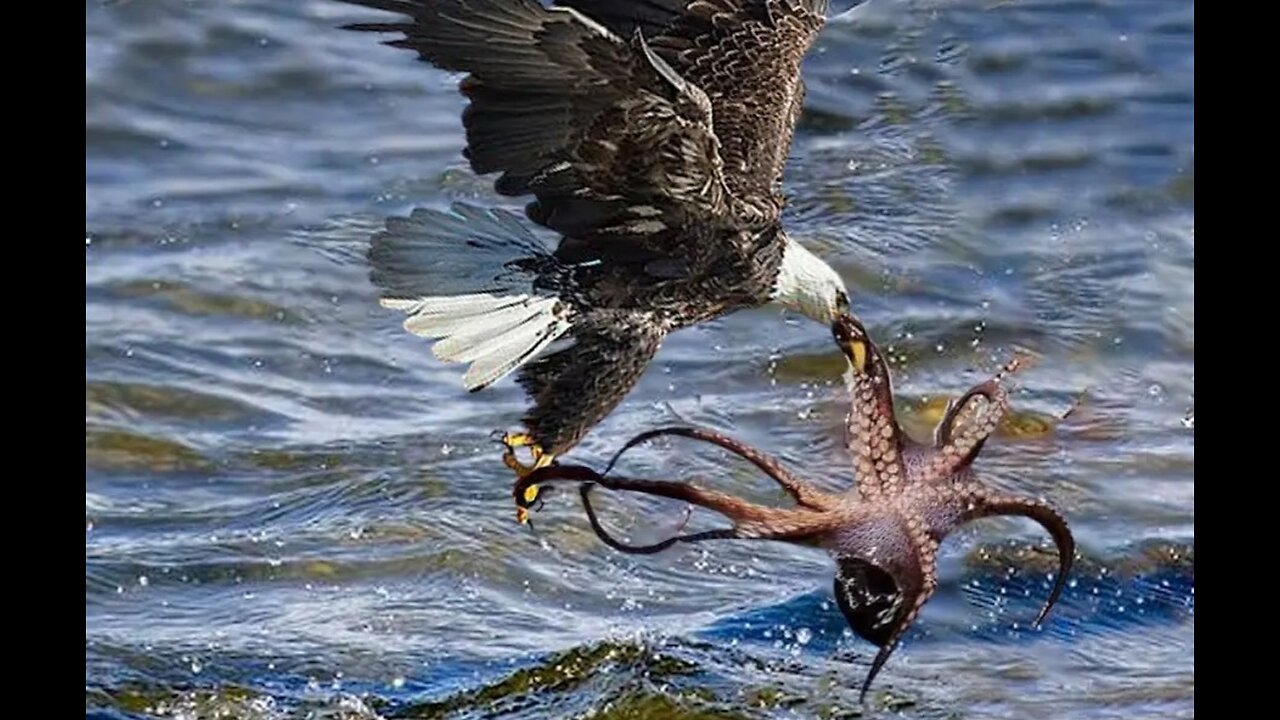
(885, 532)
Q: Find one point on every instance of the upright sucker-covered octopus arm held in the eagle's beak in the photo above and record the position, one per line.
(871, 430)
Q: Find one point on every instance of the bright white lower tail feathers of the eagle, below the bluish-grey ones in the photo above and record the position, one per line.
(496, 334)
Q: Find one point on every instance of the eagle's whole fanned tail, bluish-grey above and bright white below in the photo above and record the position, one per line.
(476, 280)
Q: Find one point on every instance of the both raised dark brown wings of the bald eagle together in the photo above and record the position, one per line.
(628, 121)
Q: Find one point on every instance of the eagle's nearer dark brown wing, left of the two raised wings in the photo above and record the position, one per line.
(598, 127)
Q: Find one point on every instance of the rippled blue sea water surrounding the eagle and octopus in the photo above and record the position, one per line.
(291, 508)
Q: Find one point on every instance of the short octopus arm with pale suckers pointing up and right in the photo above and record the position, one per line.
(967, 425)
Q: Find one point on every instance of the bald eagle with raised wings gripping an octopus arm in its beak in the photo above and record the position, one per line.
(652, 136)
